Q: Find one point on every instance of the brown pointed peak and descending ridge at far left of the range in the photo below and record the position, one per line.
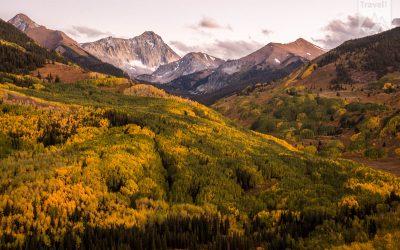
(60, 42)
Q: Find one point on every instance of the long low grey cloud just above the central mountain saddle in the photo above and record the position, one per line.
(226, 49)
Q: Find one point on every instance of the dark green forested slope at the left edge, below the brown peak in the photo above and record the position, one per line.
(20, 54)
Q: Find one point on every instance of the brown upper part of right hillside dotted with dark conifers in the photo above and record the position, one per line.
(359, 61)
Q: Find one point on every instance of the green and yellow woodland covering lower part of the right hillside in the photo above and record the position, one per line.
(323, 125)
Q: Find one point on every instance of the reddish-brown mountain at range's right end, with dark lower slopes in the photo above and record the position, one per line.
(269, 63)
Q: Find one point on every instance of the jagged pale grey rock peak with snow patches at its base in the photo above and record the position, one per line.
(136, 56)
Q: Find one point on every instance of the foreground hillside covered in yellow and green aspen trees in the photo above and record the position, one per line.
(83, 167)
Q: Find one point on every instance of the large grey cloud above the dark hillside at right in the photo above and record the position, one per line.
(338, 31)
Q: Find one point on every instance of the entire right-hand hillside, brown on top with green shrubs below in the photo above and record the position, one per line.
(344, 102)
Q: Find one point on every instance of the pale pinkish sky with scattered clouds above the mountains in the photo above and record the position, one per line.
(223, 28)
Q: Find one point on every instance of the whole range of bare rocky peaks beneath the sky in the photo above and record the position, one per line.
(147, 58)
